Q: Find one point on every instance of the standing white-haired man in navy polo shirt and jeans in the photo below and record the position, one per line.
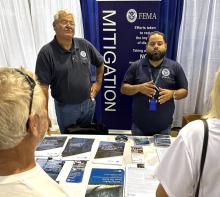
(64, 65)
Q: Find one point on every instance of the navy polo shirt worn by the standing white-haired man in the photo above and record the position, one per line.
(68, 71)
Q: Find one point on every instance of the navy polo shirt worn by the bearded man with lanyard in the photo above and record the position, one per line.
(171, 77)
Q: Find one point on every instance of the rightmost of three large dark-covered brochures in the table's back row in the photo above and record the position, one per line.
(110, 153)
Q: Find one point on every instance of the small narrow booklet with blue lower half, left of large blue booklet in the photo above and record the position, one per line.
(76, 172)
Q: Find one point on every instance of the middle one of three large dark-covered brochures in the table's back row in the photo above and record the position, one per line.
(78, 149)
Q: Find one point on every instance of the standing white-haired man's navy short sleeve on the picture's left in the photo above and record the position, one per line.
(43, 68)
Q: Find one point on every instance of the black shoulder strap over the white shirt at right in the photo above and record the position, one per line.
(204, 149)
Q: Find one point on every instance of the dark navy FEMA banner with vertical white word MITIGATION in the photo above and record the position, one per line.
(123, 27)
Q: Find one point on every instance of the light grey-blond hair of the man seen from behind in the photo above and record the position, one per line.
(14, 105)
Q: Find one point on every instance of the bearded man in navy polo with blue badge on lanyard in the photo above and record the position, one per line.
(154, 82)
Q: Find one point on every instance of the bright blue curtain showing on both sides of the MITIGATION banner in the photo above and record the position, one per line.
(170, 20)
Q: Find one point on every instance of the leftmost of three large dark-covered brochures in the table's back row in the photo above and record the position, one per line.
(51, 146)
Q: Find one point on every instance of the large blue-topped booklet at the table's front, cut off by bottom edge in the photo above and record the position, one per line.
(105, 182)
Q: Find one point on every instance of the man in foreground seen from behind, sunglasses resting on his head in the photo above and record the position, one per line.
(23, 123)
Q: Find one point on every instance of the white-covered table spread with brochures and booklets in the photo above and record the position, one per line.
(103, 165)
